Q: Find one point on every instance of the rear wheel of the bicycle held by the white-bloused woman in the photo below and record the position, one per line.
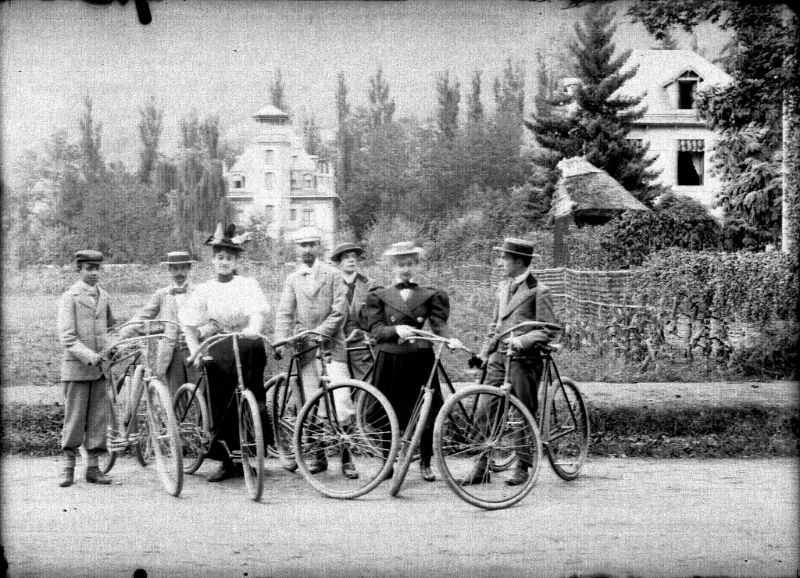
(191, 413)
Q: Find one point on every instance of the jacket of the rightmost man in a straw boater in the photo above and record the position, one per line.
(532, 301)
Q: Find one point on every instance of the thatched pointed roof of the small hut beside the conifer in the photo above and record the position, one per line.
(587, 192)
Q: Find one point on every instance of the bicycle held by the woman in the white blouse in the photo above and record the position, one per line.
(198, 430)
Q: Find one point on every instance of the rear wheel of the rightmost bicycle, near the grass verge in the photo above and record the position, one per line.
(567, 434)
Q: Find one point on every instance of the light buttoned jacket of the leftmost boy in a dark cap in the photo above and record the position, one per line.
(82, 328)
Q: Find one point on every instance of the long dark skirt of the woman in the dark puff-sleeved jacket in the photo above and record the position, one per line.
(400, 376)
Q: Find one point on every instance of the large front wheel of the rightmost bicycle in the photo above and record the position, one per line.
(472, 427)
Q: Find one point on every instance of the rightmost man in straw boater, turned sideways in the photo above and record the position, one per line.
(520, 297)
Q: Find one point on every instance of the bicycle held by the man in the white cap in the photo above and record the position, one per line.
(310, 432)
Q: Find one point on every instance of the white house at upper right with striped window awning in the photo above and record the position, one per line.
(668, 81)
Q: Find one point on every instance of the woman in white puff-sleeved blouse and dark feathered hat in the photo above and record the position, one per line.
(227, 303)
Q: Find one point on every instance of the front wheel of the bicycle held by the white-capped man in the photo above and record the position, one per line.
(369, 443)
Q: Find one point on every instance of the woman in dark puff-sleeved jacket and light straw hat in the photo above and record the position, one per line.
(402, 367)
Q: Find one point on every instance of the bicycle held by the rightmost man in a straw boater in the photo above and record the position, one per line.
(500, 425)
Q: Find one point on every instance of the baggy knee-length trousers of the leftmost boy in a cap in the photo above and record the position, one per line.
(85, 420)
